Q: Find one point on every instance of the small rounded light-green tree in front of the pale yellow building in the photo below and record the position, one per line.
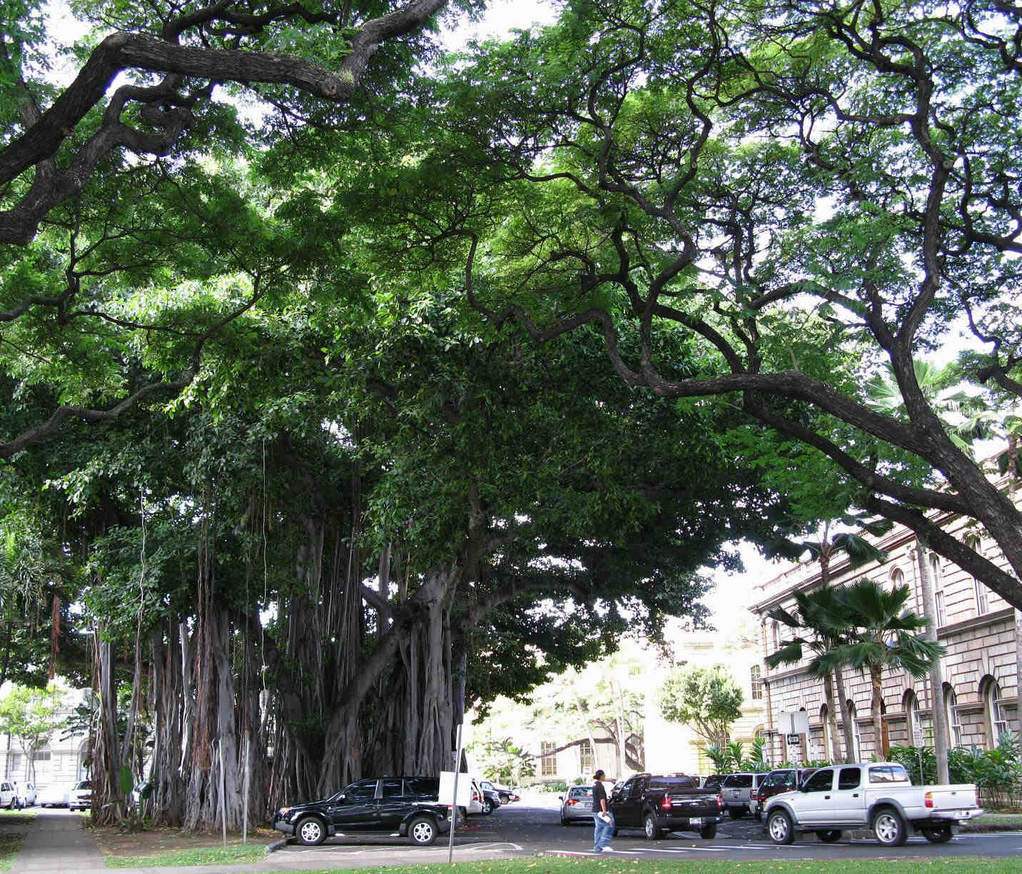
(708, 700)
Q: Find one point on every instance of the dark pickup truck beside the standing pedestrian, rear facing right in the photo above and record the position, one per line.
(662, 804)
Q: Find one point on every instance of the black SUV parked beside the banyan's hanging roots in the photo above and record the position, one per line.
(405, 805)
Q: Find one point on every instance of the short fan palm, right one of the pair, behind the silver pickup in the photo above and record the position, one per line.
(877, 633)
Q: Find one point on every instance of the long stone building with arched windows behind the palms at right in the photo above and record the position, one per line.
(975, 626)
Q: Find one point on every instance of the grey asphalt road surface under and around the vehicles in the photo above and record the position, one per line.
(533, 826)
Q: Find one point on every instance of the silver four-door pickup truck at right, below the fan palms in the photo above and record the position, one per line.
(877, 796)
